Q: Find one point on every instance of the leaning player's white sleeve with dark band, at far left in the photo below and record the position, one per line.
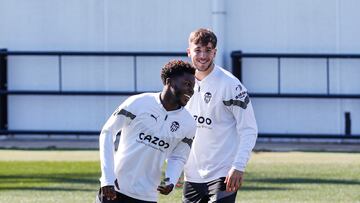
(113, 125)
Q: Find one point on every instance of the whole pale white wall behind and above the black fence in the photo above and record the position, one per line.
(283, 26)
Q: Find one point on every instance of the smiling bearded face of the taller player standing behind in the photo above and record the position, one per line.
(202, 56)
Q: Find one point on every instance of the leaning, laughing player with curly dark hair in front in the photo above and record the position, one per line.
(154, 127)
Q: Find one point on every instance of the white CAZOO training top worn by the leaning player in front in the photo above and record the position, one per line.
(149, 135)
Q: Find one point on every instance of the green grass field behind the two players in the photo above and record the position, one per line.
(72, 176)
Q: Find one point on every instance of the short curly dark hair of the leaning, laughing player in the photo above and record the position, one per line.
(176, 68)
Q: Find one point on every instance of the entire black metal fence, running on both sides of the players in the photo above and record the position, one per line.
(237, 57)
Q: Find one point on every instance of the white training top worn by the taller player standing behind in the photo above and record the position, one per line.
(226, 127)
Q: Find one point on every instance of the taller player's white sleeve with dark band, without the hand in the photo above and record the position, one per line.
(241, 107)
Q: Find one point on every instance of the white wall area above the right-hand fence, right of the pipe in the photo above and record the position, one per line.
(298, 26)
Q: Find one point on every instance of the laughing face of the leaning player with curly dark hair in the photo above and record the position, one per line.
(182, 88)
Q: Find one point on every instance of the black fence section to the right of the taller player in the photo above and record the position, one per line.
(237, 58)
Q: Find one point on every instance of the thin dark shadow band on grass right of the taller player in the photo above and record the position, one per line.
(305, 181)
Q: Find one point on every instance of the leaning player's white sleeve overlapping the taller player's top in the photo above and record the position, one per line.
(179, 156)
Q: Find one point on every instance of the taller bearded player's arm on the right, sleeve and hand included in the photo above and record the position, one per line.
(241, 107)
